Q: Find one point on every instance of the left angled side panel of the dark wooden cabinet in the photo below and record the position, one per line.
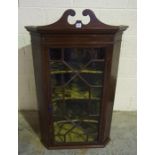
(38, 62)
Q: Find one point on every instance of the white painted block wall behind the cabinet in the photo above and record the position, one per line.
(115, 12)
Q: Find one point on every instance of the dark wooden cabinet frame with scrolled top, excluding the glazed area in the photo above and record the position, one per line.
(60, 35)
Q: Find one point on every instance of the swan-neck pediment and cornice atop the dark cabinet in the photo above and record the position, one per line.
(62, 26)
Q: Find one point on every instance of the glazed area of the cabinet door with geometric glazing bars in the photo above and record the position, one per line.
(76, 76)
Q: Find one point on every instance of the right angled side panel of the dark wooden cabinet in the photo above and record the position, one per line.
(112, 83)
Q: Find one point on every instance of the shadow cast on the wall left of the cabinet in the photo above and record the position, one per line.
(26, 82)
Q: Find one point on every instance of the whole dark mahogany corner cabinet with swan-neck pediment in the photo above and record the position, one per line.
(75, 69)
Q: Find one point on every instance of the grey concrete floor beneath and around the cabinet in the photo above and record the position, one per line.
(123, 137)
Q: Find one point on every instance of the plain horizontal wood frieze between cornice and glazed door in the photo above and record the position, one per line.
(80, 39)
